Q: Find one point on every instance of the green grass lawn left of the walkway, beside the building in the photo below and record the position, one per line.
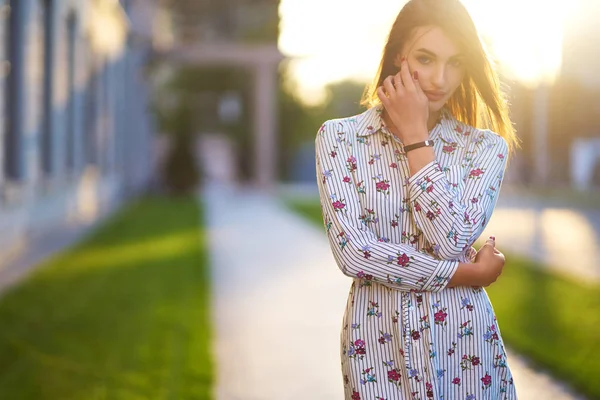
(123, 315)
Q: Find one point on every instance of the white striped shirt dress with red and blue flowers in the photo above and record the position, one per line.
(405, 334)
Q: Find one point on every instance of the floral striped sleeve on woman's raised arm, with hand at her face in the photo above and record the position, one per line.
(452, 210)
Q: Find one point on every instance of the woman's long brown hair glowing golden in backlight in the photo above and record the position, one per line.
(479, 101)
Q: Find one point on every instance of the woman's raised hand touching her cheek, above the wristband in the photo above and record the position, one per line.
(406, 104)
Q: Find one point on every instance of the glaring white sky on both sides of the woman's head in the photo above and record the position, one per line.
(333, 40)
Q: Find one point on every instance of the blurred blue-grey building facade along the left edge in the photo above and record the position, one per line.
(76, 136)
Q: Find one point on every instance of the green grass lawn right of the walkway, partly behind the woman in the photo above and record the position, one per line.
(552, 320)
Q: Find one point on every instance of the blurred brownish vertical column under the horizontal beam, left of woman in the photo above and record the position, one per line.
(265, 91)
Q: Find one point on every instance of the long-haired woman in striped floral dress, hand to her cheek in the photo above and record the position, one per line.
(406, 188)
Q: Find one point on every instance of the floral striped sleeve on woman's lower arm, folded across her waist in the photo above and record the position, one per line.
(356, 249)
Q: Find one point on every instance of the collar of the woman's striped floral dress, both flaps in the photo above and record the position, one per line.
(448, 128)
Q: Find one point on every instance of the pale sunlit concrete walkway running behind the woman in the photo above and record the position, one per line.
(278, 304)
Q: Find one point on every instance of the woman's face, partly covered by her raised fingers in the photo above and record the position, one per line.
(439, 62)
